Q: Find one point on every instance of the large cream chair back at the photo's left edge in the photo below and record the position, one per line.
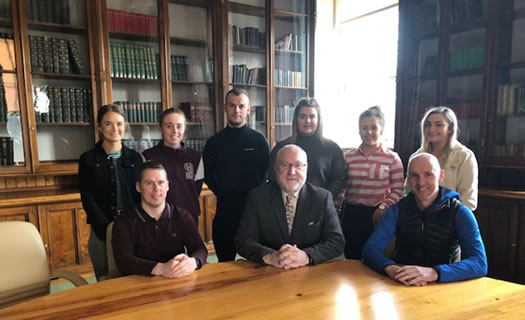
(24, 272)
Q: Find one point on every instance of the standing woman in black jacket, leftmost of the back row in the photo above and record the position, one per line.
(107, 177)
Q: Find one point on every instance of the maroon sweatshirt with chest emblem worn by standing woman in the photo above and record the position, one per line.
(181, 165)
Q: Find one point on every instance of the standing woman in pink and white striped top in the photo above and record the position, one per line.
(375, 181)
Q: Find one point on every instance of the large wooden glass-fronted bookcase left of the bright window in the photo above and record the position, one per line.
(61, 61)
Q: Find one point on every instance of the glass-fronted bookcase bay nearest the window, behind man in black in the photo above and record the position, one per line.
(268, 54)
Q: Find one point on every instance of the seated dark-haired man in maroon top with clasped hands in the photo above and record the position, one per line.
(152, 238)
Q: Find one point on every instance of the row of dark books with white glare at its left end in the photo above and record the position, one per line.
(66, 105)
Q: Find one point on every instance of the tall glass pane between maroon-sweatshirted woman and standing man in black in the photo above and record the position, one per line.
(191, 66)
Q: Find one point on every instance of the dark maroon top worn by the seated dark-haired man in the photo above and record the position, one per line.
(140, 242)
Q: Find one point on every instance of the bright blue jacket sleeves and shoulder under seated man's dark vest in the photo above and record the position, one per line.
(474, 262)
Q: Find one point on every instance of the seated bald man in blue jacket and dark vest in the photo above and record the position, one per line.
(430, 225)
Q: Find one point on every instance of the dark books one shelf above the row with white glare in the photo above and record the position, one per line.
(55, 55)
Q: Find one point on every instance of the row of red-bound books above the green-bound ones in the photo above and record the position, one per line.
(122, 21)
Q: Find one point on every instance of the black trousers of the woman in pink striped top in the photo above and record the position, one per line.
(357, 227)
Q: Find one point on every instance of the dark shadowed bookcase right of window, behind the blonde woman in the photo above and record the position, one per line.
(468, 55)
